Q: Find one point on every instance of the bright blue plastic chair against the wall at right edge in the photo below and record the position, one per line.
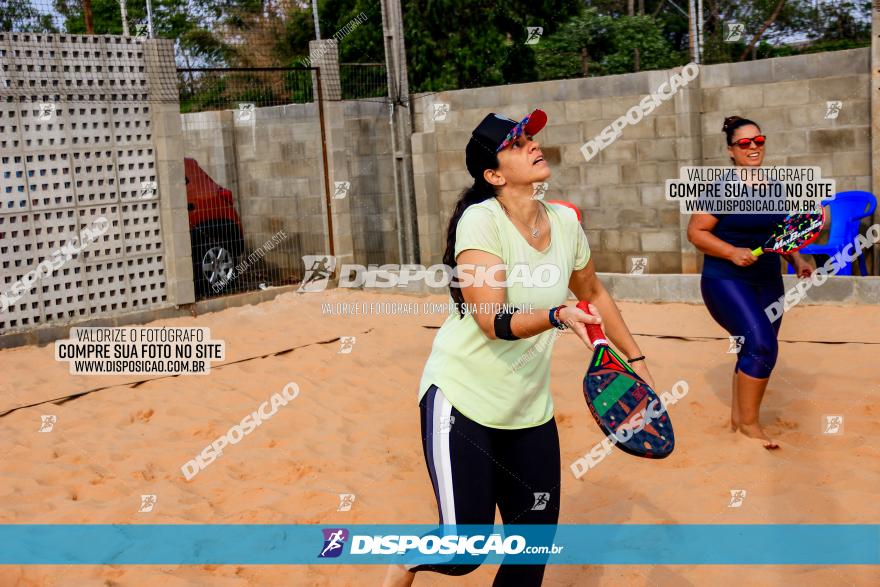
(847, 209)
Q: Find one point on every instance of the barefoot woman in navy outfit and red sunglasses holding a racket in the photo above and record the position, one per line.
(737, 286)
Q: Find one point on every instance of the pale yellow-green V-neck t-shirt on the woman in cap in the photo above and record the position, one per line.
(506, 383)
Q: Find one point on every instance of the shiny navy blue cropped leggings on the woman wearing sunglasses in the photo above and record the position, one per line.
(739, 308)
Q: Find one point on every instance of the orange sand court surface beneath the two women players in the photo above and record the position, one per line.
(354, 429)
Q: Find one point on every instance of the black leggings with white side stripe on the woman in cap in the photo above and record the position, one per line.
(474, 467)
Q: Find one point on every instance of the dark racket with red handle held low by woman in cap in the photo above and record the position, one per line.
(620, 400)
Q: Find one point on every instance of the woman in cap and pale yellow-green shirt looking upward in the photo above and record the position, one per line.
(489, 436)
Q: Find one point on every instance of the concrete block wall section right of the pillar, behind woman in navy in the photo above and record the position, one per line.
(789, 98)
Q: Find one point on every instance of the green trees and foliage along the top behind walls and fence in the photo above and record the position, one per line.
(463, 43)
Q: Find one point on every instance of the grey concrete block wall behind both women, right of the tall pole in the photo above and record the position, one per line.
(620, 190)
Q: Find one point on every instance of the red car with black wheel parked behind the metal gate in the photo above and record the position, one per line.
(215, 229)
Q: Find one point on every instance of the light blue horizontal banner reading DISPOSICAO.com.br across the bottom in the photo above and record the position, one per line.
(567, 544)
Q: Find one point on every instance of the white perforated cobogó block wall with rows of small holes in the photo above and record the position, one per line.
(76, 144)
